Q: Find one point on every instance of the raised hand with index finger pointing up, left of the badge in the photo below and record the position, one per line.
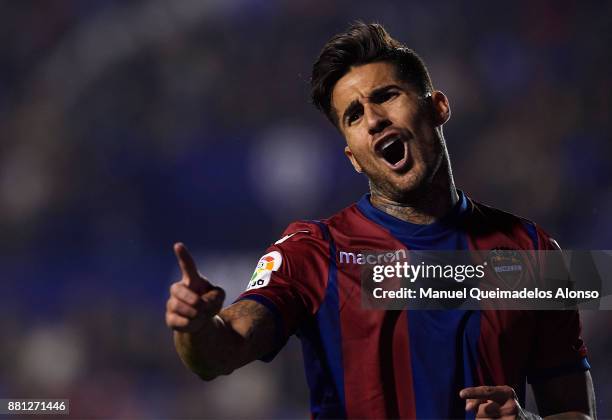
(193, 300)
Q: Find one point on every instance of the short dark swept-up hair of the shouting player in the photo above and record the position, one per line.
(362, 44)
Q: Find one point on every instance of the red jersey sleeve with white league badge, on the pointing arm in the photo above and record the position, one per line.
(291, 278)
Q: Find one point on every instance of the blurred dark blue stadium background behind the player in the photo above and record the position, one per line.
(129, 125)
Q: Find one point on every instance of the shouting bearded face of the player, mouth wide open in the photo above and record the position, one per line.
(392, 134)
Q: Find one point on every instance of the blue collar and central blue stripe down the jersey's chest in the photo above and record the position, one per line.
(443, 344)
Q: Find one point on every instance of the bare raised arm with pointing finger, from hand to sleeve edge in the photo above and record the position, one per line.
(209, 340)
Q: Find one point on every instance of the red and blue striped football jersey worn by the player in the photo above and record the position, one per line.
(363, 363)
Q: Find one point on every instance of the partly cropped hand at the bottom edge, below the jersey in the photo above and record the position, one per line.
(497, 402)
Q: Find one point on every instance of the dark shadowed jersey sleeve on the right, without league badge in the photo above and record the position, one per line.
(558, 347)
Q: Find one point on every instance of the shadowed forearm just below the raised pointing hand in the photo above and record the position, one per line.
(213, 350)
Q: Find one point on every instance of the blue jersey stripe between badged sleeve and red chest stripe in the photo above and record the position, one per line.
(322, 341)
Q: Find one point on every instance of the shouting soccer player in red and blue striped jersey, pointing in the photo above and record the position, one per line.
(375, 363)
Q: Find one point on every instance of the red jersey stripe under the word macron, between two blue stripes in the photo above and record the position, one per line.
(376, 385)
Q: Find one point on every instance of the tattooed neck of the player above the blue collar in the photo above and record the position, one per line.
(423, 206)
